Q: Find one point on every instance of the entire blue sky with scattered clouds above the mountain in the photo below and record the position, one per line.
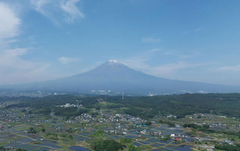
(191, 40)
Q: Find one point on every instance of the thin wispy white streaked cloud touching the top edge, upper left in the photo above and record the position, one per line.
(67, 8)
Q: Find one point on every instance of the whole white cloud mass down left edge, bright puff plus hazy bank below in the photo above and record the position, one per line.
(13, 68)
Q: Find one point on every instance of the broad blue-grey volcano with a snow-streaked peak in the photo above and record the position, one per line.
(117, 77)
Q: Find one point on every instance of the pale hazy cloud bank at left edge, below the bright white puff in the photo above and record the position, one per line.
(14, 69)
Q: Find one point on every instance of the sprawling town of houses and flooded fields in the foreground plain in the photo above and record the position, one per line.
(22, 128)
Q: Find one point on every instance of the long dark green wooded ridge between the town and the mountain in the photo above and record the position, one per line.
(145, 107)
